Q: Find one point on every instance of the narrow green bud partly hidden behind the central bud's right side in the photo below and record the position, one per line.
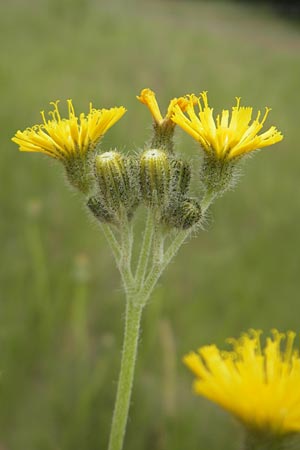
(180, 178)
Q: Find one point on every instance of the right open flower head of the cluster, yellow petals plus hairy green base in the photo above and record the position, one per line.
(225, 139)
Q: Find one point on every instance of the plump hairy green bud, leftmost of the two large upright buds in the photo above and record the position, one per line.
(117, 178)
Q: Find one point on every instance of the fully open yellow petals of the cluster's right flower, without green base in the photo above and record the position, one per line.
(226, 137)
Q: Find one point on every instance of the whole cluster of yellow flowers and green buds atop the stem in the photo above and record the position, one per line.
(115, 184)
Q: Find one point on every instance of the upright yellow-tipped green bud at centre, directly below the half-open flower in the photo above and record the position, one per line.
(155, 177)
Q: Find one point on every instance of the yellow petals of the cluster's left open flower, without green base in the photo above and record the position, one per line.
(65, 139)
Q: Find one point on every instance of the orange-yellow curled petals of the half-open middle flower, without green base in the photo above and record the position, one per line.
(147, 97)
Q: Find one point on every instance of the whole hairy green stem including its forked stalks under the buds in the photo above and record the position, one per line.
(152, 262)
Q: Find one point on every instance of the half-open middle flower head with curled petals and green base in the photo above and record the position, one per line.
(163, 126)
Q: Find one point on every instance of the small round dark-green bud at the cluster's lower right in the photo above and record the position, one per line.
(183, 215)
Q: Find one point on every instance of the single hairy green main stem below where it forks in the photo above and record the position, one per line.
(131, 336)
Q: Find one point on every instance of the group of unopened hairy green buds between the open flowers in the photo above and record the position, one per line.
(155, 178)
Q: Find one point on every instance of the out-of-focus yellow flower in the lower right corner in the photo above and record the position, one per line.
(261, 387)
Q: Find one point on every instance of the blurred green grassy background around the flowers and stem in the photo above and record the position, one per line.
(62, 308)
